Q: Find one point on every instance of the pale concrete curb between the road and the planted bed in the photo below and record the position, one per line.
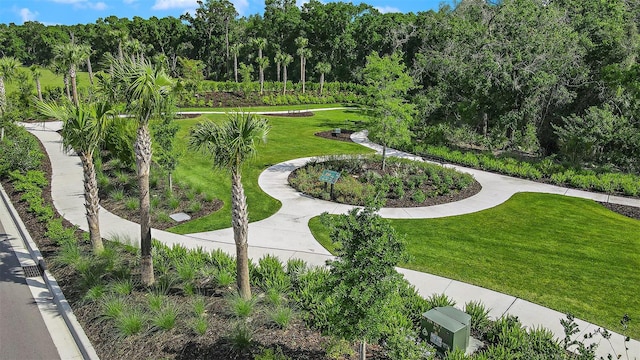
(79, 336)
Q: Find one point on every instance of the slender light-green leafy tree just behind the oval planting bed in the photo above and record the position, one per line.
(388, 85)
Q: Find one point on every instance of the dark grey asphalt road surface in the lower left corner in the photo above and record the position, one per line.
(23, 333)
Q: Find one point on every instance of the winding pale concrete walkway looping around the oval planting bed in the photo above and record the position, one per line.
(287, 235)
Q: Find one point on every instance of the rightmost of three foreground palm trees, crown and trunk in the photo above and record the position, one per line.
(230, 145)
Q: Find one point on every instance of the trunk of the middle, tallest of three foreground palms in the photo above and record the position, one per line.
(143, 161)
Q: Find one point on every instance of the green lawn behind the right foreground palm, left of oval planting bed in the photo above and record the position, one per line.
(290, 138)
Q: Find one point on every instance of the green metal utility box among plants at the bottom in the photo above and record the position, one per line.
(447, 328)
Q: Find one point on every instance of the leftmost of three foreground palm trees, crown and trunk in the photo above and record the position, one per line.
(83, 128)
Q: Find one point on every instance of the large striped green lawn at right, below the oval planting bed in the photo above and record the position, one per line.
(569, 254)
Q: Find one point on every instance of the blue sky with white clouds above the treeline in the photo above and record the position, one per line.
(69, 12)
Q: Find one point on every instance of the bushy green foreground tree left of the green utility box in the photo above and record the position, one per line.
(363, 281)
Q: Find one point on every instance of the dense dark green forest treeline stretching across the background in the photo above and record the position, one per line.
(539, 76)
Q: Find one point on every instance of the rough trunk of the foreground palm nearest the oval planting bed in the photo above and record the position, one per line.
(240, 223)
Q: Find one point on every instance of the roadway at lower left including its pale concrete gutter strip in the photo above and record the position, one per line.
(31, 325)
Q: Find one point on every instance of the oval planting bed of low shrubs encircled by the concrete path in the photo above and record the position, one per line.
(402, 182)
